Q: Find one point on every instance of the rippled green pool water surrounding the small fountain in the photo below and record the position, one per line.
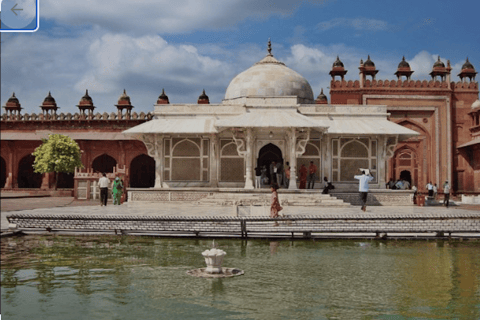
(145, 278)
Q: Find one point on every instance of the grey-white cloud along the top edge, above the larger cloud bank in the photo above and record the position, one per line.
(147, 16)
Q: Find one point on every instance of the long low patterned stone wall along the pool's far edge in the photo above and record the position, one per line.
(337, 223)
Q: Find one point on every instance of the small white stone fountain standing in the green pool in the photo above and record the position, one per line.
(214, 269)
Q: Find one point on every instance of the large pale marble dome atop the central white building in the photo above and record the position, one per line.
(269, 78)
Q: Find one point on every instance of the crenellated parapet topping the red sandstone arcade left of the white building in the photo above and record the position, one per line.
(76, 117)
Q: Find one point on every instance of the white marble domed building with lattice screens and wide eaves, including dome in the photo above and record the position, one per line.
(268, 113)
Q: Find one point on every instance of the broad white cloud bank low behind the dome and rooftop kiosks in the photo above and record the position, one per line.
(106, 63)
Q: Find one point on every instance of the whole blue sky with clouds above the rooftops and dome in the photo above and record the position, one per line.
(185, 46)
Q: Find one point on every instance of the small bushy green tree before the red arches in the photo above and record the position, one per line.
(58, 153)
